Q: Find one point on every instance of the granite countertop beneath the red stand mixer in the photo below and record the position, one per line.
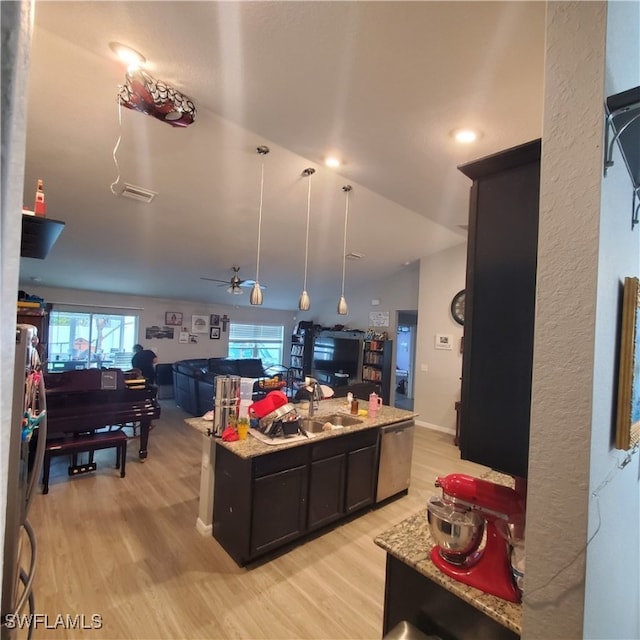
(410, 541)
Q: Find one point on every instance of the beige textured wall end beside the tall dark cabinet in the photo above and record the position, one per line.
(561, 417)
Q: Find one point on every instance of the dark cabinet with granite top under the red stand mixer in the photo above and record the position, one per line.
(418, 592)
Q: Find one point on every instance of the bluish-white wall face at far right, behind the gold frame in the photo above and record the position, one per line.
(613, 556)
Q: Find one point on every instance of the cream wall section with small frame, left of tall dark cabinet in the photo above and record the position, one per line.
(438, 388)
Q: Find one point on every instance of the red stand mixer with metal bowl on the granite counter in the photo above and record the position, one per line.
(457, 522)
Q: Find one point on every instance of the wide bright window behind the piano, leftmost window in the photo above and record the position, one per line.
(80, 340)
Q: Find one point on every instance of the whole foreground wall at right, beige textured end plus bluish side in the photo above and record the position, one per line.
(582, 533)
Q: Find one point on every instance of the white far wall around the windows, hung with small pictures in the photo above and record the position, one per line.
(151, 311)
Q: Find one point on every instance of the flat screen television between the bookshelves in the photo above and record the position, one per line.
(336, 360)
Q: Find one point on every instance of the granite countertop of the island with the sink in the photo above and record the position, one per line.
(252, 447)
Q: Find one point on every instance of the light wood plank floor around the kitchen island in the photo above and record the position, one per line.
(127, 549)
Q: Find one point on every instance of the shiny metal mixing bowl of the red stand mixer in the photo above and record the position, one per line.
(456, 530)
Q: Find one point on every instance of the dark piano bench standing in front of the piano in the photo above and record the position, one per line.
(90, 442)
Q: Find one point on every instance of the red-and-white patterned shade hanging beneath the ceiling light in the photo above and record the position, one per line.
(154, 97)
